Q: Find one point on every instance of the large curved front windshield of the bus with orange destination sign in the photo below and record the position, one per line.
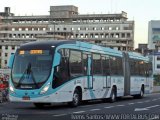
(31, 68)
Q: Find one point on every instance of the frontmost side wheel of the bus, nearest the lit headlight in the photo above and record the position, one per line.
(76, 99)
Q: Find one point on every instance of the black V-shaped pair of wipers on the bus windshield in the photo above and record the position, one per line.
(28, 72)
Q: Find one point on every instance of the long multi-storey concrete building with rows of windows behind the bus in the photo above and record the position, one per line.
(111, 30)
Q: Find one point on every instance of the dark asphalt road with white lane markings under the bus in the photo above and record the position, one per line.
(126, 108)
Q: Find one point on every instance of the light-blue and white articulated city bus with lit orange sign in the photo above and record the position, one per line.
(61, 71)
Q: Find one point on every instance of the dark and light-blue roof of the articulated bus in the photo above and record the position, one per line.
(82, 45)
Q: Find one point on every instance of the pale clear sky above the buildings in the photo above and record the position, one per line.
(141, 11)
